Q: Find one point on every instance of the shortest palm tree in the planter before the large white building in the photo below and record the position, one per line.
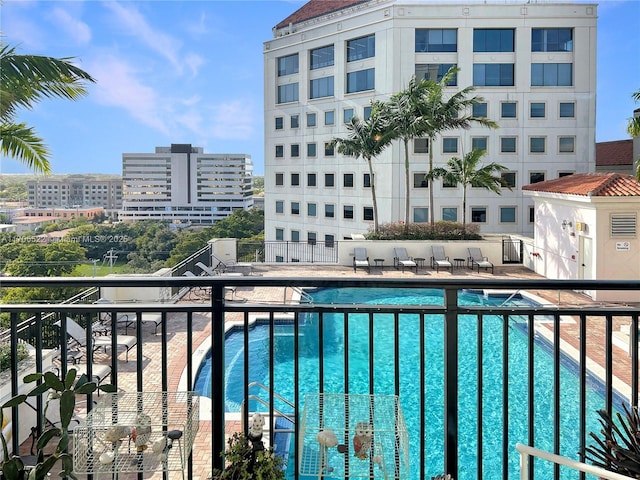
(468, 171)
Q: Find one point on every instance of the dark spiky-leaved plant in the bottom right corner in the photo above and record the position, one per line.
(617, 447)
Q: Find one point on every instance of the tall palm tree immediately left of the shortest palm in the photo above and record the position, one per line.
(439, 115)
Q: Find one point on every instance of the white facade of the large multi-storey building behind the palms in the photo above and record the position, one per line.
(311, 194)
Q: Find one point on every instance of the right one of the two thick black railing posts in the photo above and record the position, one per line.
(451, 381)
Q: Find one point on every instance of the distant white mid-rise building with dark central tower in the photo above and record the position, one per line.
(185, 186)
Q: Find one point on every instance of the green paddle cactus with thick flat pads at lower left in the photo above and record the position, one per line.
(55, 438)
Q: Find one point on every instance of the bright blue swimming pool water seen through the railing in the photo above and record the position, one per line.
(384, 375)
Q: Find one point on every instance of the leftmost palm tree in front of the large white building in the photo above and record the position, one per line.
(367, 139)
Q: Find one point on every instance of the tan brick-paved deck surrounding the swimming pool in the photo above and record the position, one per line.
(202, 329)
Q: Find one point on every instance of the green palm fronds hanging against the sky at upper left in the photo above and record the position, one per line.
(24, 80)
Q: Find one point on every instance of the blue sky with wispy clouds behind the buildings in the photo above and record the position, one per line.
(192, 72)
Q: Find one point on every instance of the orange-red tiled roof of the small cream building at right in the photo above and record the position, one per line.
(590, 184)
